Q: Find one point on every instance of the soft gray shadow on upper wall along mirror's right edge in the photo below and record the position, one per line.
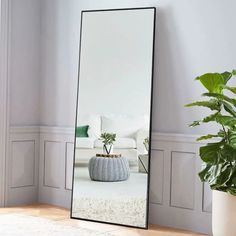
(166, 87)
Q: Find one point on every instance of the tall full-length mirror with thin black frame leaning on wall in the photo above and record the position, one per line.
(112, 156)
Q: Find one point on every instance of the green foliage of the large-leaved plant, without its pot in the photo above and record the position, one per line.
(219, 156)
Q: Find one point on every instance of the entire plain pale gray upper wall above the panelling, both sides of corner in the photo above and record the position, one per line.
(193, 37)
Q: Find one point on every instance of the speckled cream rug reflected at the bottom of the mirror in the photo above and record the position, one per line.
(120, 210)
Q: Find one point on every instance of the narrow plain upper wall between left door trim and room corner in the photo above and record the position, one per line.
(24, 61)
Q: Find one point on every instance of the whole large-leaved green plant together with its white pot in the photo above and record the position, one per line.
(219, 156)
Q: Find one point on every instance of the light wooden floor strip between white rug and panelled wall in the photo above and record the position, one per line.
(63, 216)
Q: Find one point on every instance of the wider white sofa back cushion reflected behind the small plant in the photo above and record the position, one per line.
(123, 126)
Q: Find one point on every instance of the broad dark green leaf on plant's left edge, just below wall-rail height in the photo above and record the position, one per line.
(210, 153)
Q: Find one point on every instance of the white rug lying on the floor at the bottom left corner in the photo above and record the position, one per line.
(13, 224)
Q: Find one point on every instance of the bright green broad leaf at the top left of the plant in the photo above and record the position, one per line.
(212, 82)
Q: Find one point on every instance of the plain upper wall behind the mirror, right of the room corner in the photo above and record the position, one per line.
(193, 37)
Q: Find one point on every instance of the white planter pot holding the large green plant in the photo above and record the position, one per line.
(223, 214)
